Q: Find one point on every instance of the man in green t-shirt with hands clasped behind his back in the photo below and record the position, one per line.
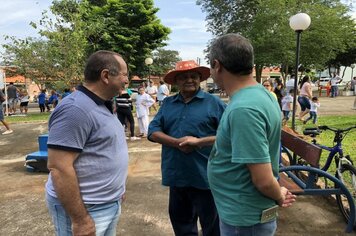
(243, 165)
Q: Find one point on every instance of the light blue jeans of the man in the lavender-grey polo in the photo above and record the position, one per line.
(105, 216)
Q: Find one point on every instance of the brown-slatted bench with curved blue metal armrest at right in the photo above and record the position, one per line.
(301, 177)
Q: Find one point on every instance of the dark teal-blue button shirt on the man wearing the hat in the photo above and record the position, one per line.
(200, 118)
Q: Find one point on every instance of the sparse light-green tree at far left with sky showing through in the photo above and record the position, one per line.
(58, 55)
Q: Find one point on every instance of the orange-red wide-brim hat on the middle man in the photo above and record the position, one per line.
(187, 66)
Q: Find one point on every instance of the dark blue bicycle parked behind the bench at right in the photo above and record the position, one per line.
(345, 171)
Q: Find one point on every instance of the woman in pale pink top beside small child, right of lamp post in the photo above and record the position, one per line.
(304, 97)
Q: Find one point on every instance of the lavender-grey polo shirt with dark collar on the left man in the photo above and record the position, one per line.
(84, 123)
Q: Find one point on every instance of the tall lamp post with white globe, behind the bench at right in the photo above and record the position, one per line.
(298, 23)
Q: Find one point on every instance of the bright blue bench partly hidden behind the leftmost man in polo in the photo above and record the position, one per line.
(37, 161)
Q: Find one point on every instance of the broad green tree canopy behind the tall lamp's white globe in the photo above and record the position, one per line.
(266, 24)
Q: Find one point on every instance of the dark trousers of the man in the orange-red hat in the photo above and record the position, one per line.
(186, 205)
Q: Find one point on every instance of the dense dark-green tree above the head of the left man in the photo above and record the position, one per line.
(128, 27)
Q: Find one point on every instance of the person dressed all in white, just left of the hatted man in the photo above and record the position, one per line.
(143, 103)
